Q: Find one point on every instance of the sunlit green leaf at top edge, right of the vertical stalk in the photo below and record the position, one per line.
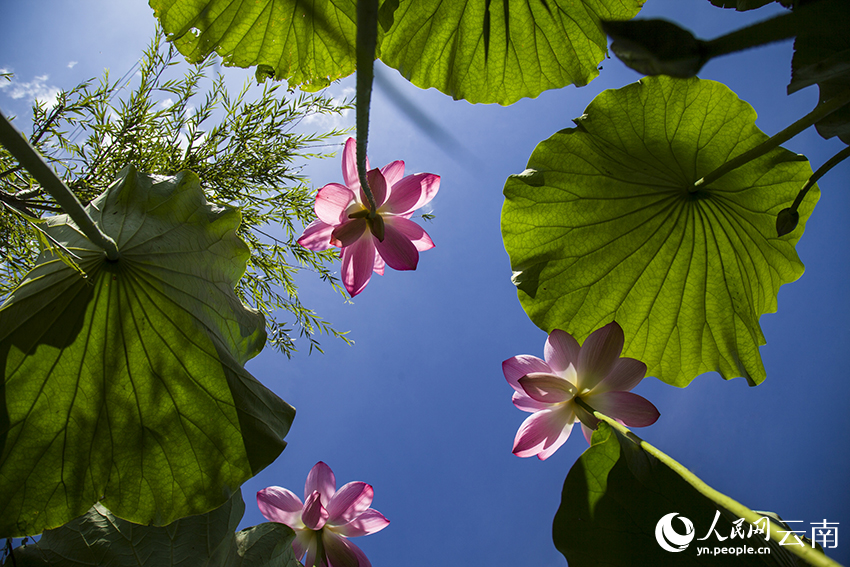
(484, 51)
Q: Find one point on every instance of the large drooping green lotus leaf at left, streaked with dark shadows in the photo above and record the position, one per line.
(127, 386)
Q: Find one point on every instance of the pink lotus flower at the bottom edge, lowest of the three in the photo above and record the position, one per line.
(325, 519)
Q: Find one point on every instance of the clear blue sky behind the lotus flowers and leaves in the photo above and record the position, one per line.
(419, 407)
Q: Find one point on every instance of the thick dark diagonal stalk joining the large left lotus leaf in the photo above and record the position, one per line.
(30, 159)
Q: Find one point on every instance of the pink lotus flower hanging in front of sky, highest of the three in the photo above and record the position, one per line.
(369, 241)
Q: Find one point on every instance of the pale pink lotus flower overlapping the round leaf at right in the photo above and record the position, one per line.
(593, 372)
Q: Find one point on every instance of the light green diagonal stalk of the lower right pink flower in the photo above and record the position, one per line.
(808, 554)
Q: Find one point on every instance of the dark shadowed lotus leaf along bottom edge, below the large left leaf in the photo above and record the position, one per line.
(100, 538)
